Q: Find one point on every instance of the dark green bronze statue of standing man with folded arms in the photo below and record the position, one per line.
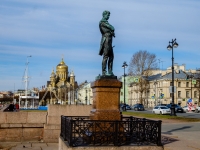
(106, 48)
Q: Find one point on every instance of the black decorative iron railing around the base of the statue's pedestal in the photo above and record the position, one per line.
(81, 131)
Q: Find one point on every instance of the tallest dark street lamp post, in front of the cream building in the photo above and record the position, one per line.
(172, 45)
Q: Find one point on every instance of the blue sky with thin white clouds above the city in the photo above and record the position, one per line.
(48, 30)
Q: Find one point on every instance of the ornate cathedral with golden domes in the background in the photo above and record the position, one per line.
(61, 87)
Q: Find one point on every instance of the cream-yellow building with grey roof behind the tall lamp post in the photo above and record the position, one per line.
(186, 83)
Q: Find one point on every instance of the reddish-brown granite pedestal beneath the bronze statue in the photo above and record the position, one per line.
(106, 99)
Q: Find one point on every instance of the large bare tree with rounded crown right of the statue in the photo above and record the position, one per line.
(141, 66)
